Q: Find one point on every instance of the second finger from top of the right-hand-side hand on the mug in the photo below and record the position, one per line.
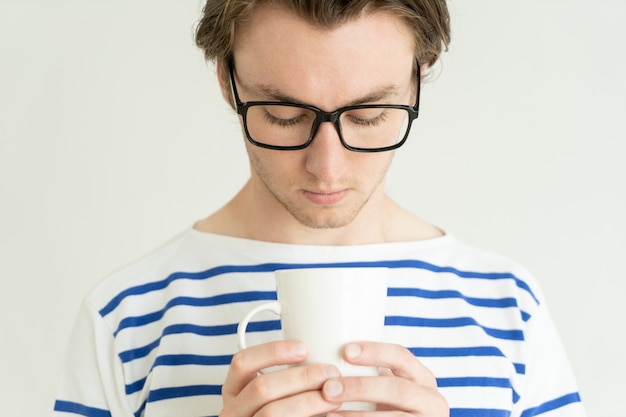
(394, 393)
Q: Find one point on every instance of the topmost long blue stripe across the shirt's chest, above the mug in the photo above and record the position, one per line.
(270, 267)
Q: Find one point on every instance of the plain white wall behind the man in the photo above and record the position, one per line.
(113, 138)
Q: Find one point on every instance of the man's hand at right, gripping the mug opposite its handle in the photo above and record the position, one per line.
(405, 387)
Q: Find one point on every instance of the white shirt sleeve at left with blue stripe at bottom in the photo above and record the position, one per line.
(92, 382)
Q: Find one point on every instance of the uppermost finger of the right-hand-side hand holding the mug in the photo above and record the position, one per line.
(397, 358)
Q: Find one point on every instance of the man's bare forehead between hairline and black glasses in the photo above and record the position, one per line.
(277, 49)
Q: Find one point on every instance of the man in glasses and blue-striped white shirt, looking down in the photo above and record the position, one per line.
(325, 91)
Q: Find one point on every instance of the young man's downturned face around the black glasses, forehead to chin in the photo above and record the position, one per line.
(279, 55)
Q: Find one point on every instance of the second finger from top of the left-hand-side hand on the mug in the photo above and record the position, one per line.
(283, 385)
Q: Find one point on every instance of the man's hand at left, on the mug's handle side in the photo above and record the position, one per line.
(292, 392)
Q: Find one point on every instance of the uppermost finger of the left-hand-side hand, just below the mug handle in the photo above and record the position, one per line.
(247, 362)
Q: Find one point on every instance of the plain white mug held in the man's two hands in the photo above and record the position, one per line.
(325, 308)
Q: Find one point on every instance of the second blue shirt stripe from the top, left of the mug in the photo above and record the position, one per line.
(137, 321)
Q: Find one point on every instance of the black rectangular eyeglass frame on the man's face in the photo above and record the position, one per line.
(322, 116)
